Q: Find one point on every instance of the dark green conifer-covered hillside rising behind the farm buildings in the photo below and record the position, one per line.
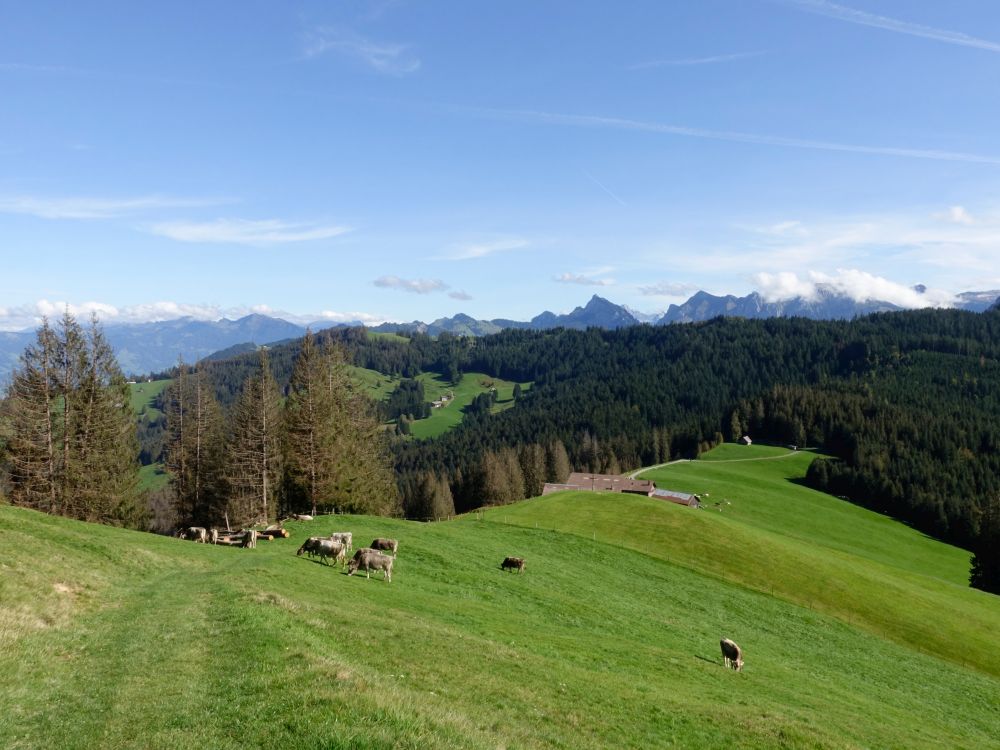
(907, 404)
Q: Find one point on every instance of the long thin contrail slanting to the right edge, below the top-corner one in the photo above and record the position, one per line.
(618, 123)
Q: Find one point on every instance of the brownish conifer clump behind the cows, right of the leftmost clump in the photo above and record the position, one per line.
(316, 444)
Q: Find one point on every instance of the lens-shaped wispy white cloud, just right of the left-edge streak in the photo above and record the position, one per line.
(245, 231)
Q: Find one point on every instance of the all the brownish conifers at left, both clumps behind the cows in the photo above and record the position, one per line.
(68, 439)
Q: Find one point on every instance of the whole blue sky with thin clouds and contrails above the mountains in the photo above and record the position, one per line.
(402, 160)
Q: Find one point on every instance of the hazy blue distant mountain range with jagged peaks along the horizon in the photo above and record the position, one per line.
(153, 347)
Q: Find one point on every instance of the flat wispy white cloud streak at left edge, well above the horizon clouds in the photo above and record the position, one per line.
(96, 208)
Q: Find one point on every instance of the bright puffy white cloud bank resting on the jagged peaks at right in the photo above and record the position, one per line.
(859, 286)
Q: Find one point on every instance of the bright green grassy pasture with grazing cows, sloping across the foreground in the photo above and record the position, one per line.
(111, 638)
